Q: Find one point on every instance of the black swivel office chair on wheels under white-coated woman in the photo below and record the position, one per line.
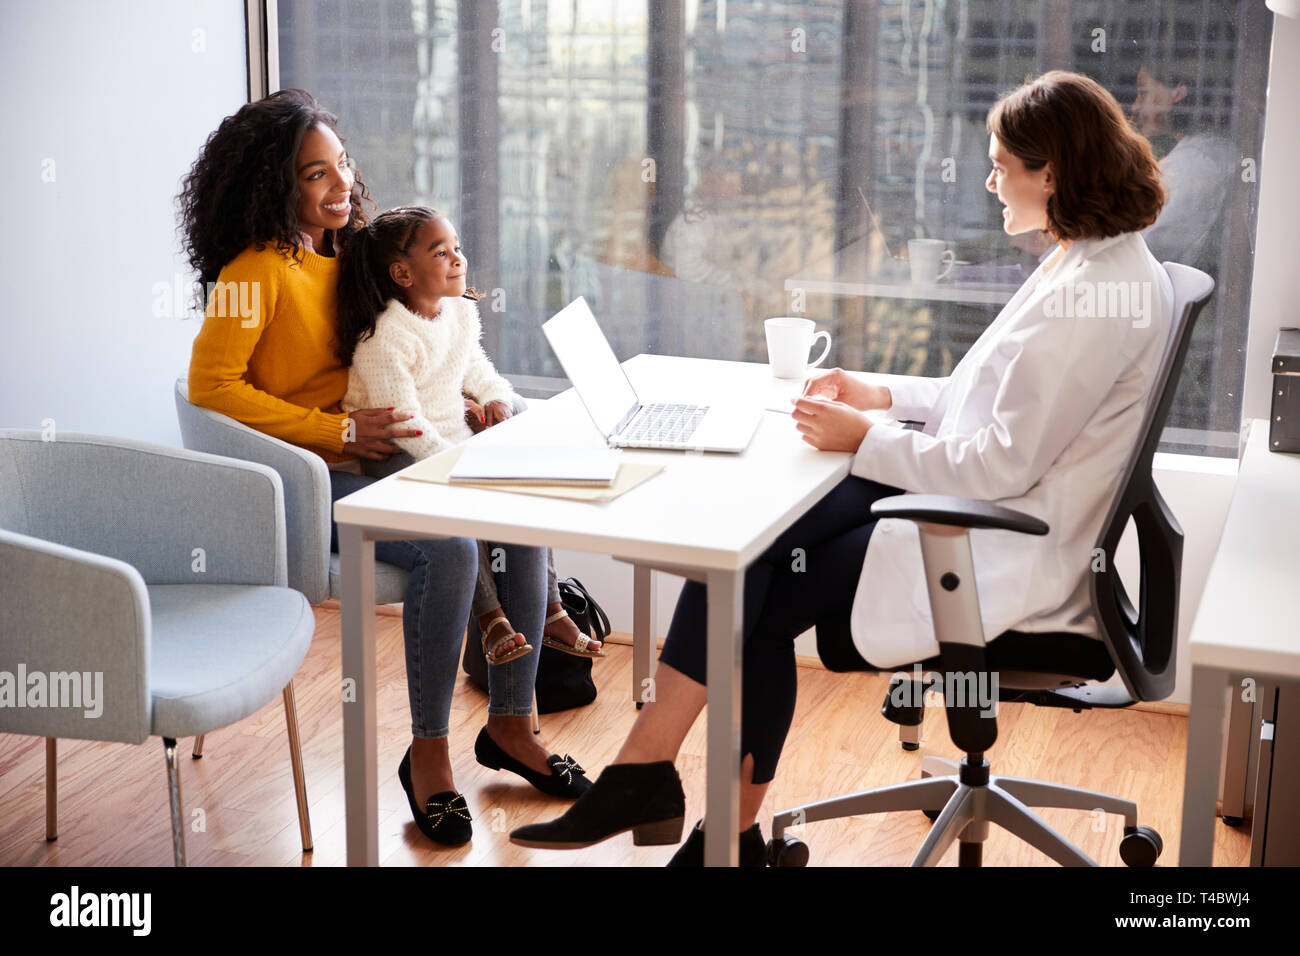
(1043, 669)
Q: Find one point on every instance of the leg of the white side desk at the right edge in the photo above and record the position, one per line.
(1201, 782)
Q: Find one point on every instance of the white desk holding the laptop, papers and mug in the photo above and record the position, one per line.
(707, 516)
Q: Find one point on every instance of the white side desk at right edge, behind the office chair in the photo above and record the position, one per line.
(1246, 625)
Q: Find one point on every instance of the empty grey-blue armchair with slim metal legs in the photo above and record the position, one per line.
(148, 586)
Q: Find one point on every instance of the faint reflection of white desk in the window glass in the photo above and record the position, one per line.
(857, 271)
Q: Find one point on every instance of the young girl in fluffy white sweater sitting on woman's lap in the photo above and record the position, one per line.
(410, 328)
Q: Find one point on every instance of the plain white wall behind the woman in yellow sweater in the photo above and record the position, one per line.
(106, 106)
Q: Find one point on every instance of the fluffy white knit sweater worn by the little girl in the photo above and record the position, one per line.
(423, 366)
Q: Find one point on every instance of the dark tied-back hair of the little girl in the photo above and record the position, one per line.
(365, 284)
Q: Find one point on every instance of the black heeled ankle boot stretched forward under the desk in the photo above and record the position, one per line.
(643, 798)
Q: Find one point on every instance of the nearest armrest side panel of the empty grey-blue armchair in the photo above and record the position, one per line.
(81, 622)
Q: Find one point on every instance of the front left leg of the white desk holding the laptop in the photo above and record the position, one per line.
(361, 780)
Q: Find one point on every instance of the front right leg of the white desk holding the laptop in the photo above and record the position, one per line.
(722, 817)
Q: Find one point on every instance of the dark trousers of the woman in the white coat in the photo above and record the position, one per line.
(809, 574)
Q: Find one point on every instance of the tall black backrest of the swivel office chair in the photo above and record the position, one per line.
(1143, 643)
